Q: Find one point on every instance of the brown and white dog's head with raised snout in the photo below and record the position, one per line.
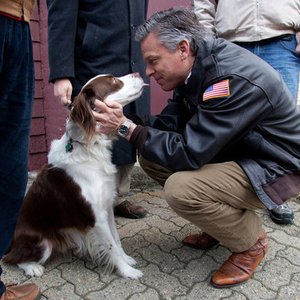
(123, 89)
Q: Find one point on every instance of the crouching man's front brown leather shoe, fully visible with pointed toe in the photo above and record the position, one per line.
(240, 266)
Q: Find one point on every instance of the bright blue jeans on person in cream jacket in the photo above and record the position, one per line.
(281, 55)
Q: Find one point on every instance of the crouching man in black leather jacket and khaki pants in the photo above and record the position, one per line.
(228, 143)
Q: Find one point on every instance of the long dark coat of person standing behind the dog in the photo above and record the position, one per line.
(91, 37)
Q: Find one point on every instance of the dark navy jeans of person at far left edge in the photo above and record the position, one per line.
(16, 100)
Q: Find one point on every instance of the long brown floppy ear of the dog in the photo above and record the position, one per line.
(82, 113)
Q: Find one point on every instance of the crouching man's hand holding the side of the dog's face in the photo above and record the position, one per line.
(109, 116)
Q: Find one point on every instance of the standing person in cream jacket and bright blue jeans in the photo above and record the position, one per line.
(268, 29)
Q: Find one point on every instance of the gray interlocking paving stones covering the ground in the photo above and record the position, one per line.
(171, 270)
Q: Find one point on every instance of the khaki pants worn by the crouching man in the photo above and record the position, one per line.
(218, 198)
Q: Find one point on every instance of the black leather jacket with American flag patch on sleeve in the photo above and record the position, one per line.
(257, 124)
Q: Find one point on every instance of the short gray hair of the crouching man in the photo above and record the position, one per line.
(173, 25)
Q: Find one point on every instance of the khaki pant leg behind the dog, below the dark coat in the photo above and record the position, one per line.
(123, 181)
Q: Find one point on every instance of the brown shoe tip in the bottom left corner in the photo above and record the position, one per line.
(29, 291)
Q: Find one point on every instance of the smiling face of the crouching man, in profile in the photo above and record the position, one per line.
(169, 69)
